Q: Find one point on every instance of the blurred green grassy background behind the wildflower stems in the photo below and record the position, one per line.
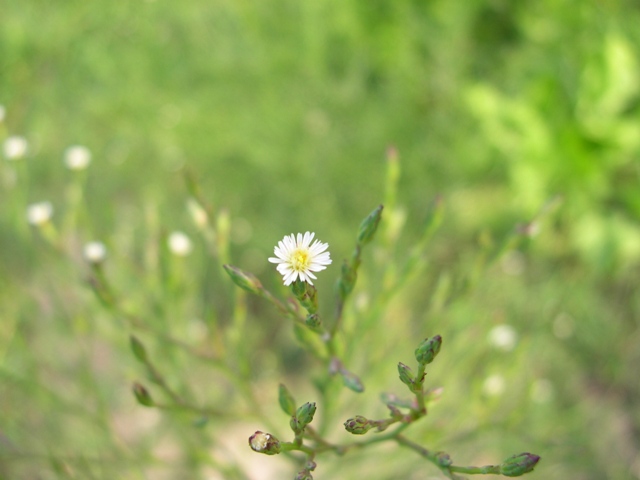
(283, 112)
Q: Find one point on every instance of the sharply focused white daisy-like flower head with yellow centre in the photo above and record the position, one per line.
(297, 258)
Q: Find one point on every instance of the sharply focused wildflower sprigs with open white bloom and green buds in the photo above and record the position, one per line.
(296, 259)
